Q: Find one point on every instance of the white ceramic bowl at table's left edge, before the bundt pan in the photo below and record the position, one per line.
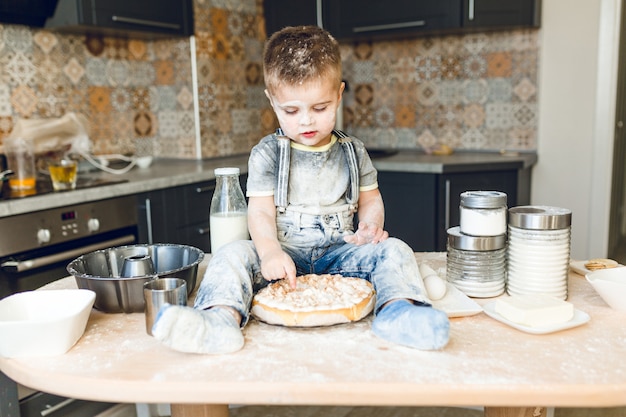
(43, 322)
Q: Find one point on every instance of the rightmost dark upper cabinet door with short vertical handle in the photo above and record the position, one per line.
(485, 14)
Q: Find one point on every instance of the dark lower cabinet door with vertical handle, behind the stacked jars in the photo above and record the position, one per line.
(451, 186)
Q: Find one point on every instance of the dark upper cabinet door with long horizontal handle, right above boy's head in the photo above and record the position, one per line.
(357, 19)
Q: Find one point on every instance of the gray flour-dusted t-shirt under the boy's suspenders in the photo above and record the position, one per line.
(318, 177)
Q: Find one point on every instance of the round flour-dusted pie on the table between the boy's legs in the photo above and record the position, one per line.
(317, 300)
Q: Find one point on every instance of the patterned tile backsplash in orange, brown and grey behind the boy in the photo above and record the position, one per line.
(472, 92)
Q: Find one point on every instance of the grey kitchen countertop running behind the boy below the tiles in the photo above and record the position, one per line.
(165, 173)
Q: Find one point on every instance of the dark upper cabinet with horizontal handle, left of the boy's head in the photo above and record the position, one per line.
(139, 18)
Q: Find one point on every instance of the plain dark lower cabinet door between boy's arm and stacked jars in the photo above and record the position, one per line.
(410, 208)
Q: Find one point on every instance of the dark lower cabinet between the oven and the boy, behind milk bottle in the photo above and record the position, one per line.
(178, 214)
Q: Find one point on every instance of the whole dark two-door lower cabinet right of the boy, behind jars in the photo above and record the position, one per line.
(420, 207)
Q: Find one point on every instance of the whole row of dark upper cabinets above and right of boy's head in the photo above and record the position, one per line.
(371, 19)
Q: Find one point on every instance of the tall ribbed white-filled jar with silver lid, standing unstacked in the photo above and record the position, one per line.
(539, 250)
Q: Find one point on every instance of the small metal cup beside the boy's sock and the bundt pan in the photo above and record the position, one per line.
(161, 291)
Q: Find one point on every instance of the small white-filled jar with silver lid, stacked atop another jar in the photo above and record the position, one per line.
(483, 213)
